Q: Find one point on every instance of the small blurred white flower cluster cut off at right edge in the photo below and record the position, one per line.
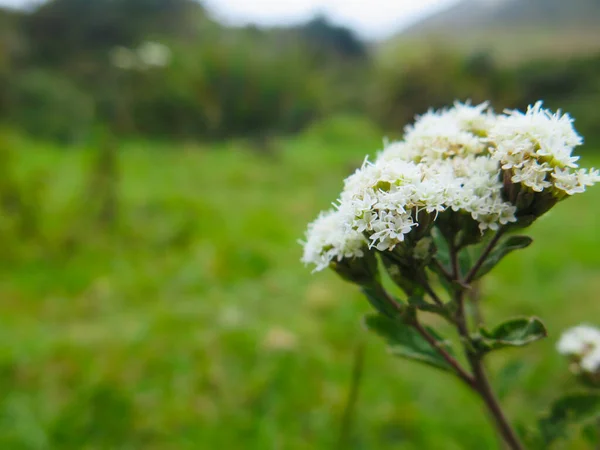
(582, 344)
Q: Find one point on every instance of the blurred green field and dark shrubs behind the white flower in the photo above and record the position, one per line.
(150, 288)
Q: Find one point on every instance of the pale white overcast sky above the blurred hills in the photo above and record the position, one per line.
(372, 19)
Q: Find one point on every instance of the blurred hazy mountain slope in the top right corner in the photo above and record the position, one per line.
(515, 29)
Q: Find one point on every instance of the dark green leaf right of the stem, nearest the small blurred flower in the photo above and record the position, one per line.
(513, 333)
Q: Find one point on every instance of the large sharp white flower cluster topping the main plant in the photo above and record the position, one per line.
(465, 160)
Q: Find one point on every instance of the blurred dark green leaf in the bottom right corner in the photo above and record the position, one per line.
(571, 410)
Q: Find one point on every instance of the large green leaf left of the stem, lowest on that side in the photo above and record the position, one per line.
(403, 340)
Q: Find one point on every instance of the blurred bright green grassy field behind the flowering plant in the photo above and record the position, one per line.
(189, 322)
